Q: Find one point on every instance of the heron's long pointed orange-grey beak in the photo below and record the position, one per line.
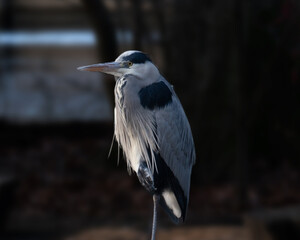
(110, 68)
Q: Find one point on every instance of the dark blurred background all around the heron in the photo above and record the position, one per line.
(234, 64)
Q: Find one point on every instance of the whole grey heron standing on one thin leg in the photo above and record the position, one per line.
(153, 131)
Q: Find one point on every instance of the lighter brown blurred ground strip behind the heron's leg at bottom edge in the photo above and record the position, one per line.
(245, 232)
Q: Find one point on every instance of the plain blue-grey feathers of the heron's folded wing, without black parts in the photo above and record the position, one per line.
(175, 141)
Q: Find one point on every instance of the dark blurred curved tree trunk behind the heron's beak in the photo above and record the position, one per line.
(105, 34)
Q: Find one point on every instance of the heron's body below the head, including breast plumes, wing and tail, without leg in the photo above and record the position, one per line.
(153, 130)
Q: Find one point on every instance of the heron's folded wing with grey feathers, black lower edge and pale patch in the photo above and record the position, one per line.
(176, 157)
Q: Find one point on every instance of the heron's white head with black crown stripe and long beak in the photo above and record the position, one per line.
(131, 62)
